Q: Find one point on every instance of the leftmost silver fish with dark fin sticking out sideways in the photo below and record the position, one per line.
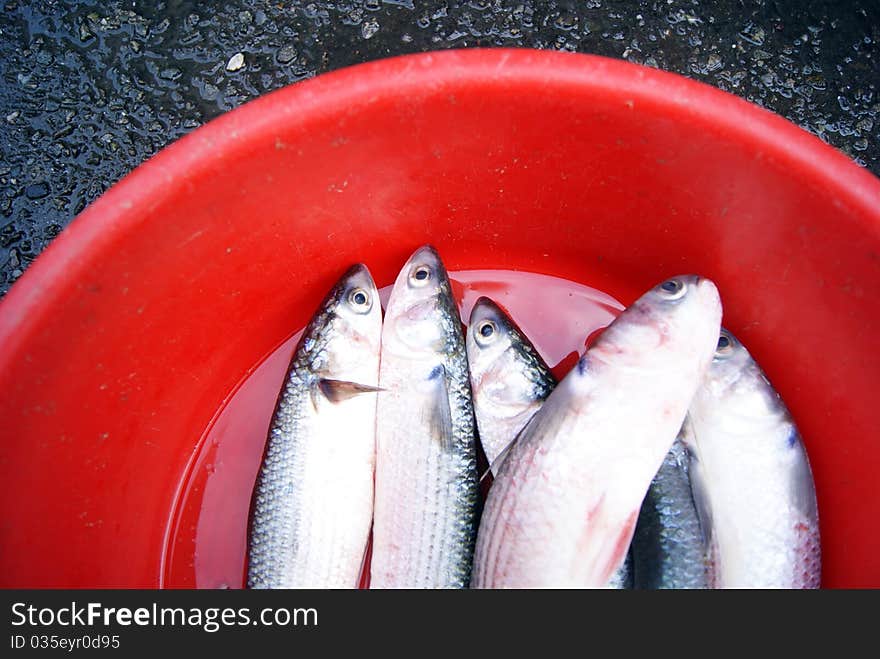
(313, 501)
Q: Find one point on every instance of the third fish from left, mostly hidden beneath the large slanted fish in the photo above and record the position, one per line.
(510, 381)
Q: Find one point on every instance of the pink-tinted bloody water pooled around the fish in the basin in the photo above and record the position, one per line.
(207, 535)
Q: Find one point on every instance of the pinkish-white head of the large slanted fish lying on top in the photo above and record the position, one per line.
(678, 316)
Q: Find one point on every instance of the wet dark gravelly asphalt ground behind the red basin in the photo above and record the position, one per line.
(89, 90)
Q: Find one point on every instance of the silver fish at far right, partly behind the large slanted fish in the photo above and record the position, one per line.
(751, 478)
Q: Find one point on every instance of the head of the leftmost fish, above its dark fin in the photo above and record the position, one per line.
(353, 317)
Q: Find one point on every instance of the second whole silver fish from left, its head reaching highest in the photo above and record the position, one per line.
(427, 496)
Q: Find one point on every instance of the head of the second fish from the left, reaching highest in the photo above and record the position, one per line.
(421, 312)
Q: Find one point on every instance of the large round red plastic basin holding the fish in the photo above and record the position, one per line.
(123, 340)
